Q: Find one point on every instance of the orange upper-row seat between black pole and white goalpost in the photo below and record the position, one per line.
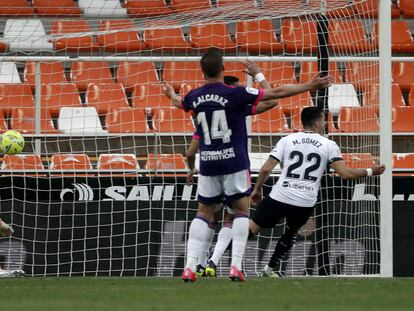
(348, 36)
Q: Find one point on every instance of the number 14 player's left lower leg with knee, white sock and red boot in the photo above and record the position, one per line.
(197, 236)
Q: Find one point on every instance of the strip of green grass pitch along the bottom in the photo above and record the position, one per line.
(206, 294)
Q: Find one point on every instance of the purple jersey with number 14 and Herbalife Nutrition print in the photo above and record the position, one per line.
(221, 124)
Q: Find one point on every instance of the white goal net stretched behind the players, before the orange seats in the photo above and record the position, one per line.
(100, 188)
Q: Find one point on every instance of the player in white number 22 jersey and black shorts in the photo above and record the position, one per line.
(305, 156)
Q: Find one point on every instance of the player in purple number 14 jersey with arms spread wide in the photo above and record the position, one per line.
(224, 160)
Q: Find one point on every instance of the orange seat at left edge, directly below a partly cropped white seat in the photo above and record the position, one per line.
(15, 96)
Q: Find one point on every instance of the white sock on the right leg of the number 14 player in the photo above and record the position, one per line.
(240, 234)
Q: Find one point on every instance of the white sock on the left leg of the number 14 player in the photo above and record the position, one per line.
(197, 236)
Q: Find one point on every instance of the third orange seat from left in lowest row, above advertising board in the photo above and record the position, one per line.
(118, 161)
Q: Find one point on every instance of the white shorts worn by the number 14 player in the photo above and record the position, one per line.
(212, 189)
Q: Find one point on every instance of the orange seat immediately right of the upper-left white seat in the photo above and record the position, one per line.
(66, 27)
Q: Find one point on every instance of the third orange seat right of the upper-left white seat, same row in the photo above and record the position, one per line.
(165, 39)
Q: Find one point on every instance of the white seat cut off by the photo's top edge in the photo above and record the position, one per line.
(99, 8)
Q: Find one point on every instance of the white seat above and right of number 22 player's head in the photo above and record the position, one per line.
(341, 95)
